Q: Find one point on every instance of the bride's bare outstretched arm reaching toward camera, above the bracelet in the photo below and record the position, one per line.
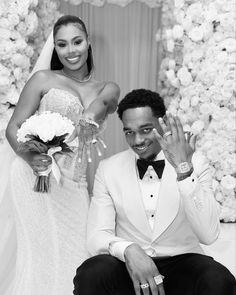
(105, 103)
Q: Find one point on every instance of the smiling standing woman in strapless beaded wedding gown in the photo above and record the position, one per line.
(51, 227)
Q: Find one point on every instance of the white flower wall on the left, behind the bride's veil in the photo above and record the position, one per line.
(22, 37)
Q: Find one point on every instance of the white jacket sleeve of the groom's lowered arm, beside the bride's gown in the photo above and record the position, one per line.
(102, 217)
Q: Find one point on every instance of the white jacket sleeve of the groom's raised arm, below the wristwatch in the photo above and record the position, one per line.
(200, 206)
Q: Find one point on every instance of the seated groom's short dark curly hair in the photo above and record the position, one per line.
(142, 98)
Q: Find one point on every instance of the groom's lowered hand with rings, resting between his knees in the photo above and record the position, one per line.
(142, 270)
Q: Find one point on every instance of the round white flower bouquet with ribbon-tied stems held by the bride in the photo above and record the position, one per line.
(45, 133)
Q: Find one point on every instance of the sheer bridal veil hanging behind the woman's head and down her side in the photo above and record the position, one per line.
(8, 244)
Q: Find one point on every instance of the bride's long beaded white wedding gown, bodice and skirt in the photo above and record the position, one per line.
(51, 227)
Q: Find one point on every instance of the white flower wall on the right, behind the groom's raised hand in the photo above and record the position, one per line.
(197, 80)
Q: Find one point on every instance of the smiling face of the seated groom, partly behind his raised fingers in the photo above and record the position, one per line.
(138, 124)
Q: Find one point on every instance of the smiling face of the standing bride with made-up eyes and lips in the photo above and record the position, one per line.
(71, 45)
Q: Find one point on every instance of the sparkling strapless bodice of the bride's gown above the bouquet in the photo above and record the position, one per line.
(63, 102)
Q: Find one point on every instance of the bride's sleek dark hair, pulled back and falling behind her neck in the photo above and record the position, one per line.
(63, 21)
